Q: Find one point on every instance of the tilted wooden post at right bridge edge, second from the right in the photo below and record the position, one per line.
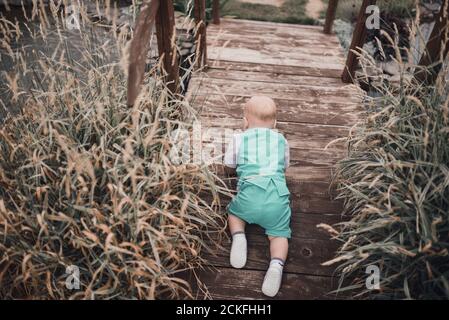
(358, 39)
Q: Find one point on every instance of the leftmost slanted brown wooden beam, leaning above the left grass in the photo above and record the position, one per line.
(140, 45)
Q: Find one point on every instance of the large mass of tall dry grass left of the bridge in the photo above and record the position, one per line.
(87, 182)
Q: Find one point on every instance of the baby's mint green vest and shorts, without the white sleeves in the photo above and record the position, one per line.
(263, 197)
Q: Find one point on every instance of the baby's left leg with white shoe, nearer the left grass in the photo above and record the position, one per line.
(239, 247)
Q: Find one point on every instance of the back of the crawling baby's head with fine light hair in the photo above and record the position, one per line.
(259, 111)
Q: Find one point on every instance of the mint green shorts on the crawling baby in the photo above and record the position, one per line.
(267, 208)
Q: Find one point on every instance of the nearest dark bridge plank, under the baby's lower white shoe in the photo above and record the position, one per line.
(227, 283)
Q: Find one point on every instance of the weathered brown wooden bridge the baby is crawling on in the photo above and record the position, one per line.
(304, 70)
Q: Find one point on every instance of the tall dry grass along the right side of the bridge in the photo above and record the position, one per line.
(395, 187)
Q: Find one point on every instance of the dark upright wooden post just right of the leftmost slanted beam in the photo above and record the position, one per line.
(165, 31)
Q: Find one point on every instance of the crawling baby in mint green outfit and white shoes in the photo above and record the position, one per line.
(260, 156)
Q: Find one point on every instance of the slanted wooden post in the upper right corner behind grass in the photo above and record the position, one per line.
(435, 53)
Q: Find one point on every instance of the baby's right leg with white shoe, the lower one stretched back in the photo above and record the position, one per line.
(273, 277)
